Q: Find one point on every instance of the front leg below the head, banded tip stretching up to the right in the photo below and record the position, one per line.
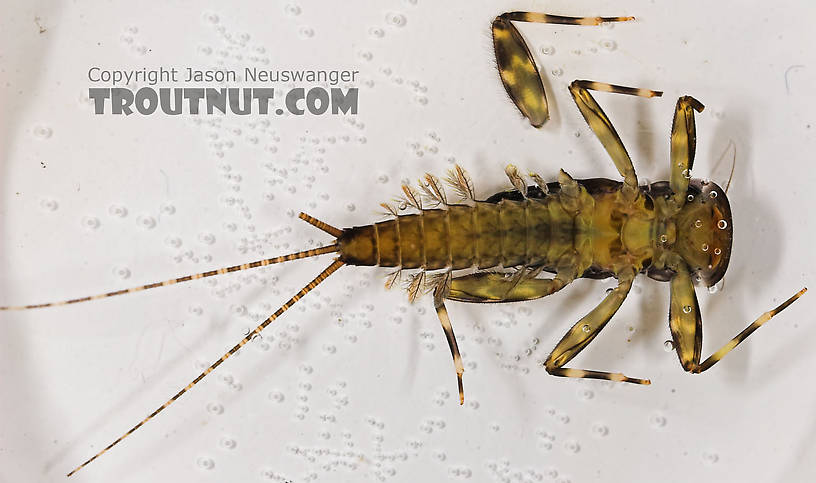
(687, 326)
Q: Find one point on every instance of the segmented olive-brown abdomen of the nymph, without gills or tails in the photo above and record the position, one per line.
(484, 235)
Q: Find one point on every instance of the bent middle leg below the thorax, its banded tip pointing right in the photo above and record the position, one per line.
(583, 332)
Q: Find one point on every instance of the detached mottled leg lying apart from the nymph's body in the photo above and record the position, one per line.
(517, 68)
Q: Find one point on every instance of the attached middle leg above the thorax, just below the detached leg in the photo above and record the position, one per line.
(603, 128)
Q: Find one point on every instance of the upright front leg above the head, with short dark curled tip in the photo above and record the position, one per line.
(683, 147)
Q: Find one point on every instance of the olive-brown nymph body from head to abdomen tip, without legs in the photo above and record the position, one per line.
(595, 229)
